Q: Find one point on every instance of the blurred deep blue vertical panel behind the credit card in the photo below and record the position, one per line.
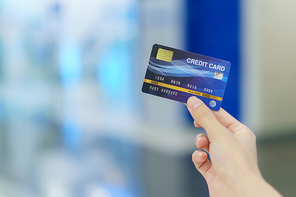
(213, 30)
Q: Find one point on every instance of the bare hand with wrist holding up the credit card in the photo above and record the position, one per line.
(233, 169)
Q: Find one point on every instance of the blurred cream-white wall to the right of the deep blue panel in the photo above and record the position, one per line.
(269, 64)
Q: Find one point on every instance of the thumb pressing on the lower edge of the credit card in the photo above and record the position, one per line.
(206, 118)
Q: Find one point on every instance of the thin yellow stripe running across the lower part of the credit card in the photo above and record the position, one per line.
(182, 89)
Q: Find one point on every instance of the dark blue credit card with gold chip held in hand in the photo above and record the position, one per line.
(178, 75)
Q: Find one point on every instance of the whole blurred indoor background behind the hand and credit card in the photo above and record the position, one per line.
(73, 119)
